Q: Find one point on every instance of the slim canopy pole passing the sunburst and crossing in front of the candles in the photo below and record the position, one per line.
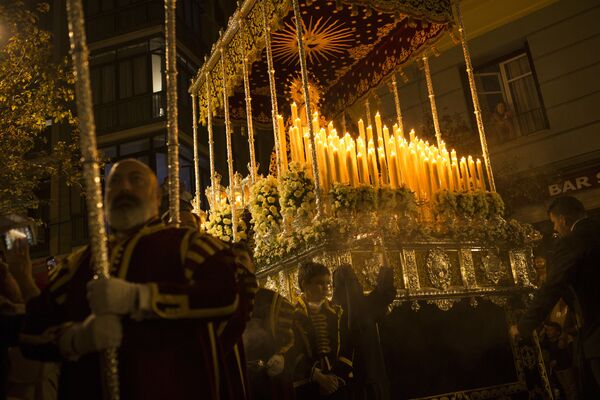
(311, 133)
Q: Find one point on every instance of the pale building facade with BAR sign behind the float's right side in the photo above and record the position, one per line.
(536, 71)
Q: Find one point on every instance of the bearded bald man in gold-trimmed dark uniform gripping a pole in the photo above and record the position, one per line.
(175, 305)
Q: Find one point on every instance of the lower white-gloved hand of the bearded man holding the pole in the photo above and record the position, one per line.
(96, 333)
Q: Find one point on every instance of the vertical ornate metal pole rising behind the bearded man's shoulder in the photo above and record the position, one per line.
(172, 124)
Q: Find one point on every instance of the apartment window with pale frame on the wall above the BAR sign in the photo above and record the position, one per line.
(510, 99)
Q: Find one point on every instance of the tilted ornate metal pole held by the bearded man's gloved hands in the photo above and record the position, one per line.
(91, 173)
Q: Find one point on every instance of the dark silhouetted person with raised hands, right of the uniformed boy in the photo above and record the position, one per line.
(364, 312)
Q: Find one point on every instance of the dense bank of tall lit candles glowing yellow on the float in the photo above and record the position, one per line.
(387, 160)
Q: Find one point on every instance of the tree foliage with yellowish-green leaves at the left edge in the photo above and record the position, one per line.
(33, 90)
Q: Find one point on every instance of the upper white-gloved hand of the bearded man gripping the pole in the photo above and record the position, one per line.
(113, 296)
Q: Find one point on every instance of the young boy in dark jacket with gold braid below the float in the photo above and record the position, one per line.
(322, 354)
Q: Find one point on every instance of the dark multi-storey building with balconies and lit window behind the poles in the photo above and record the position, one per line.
(127, 71)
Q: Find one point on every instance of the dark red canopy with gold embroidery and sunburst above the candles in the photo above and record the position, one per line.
(351, 47)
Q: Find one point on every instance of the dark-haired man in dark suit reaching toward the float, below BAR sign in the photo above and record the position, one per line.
(574, 275)
